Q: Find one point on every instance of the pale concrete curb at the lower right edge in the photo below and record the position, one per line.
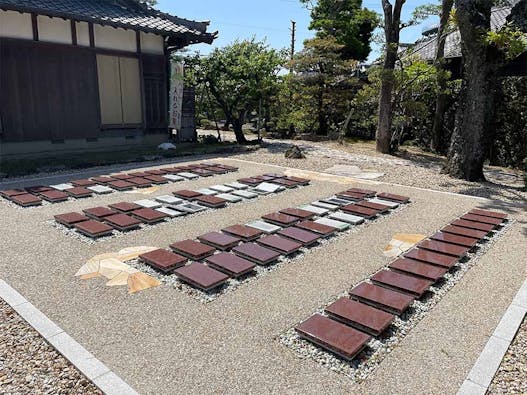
(482, 373)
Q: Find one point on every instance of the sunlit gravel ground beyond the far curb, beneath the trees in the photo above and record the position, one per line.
(412, 168)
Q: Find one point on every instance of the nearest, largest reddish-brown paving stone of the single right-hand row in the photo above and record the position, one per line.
(334, 336)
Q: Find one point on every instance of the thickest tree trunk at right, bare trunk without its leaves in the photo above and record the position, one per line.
(467, 151)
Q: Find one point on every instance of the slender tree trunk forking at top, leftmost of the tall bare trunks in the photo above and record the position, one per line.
(392, 29)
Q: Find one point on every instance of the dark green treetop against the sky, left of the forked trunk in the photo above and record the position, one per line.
(345, 20)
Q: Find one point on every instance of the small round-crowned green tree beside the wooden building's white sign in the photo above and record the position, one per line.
(238, 76)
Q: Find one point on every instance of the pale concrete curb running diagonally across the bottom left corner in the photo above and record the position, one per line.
(98, 373)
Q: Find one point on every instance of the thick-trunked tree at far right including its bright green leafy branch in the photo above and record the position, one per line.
(484, 52)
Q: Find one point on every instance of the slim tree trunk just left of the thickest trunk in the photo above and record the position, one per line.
(442, 98)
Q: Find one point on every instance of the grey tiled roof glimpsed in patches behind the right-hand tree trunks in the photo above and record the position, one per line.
(426, 47)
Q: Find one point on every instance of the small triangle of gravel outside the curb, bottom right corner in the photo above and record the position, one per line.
(512, 374)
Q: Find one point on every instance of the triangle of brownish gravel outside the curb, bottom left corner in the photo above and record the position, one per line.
(29, 365)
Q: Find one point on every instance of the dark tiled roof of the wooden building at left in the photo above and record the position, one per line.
(128, 14)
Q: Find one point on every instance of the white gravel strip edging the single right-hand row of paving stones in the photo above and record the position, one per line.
(378, 348)
